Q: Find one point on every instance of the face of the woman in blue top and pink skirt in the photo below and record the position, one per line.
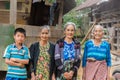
(98, 32)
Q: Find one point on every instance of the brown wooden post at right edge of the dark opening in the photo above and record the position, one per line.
(61, 14)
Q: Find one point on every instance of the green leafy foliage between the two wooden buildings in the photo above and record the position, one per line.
(80, 18)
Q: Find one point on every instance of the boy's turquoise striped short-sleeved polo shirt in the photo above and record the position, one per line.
(13, 52)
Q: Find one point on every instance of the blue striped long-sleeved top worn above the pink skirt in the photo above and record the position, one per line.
(101, 52)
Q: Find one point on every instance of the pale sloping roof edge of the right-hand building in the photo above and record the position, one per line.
(86, 4)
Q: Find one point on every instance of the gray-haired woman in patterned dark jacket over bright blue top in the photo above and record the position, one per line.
(67, 54)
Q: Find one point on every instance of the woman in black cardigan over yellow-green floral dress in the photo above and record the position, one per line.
(42, 57)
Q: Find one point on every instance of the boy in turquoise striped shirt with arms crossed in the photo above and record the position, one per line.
(16, 56)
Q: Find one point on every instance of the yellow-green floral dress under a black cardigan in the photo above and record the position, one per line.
(42, 72)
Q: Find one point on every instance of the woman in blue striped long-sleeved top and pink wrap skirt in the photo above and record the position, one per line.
(96, 58)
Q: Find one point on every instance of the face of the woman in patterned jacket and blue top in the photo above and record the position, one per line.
(69, 31)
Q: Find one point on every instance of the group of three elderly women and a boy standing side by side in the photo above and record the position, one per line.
(60, 61)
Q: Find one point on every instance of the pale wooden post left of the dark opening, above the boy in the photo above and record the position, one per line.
(13, 11)
